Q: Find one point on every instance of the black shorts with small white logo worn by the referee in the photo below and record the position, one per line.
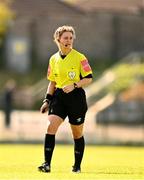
(71, 104)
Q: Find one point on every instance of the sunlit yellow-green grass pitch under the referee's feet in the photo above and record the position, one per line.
(19, 162)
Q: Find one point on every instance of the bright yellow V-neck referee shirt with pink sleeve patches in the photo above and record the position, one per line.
(68, 70)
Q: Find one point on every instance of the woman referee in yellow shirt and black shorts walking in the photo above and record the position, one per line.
(68, 72)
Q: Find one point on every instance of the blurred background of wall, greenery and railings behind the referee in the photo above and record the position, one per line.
(110, 33)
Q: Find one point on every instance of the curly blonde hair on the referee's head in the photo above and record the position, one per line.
(60, 30)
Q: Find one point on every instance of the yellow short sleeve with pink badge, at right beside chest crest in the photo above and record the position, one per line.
(85, 67)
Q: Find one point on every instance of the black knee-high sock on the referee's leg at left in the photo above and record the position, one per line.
(49, 147)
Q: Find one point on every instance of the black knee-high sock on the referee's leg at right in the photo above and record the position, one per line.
(79, 150)
